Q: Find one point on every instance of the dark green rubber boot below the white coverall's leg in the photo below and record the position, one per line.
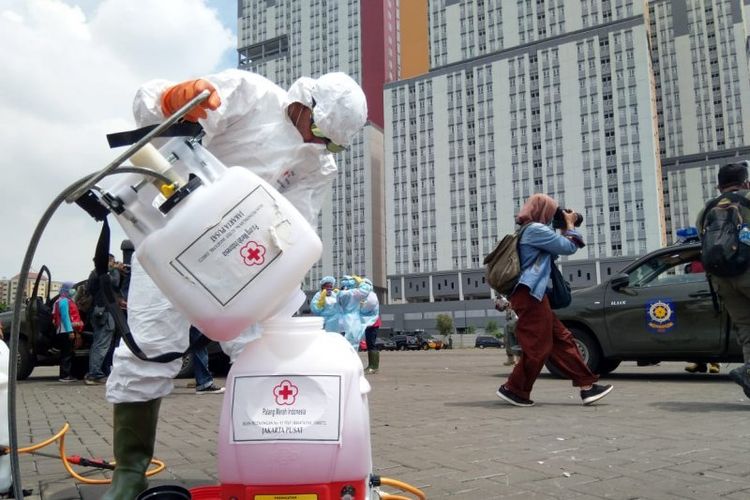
(134, 438)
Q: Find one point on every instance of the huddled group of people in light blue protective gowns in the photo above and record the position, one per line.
(351, 309)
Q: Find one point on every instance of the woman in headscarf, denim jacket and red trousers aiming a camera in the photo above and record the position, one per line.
(540, 334)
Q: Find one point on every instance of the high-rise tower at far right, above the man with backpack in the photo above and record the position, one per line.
(702, 91)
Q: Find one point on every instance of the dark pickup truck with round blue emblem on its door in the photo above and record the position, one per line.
(659, 308)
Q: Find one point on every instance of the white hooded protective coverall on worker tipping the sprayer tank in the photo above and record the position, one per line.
(250, 129)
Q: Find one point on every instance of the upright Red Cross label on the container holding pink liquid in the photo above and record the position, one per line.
(286, 408)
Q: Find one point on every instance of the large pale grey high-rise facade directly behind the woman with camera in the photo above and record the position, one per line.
(566, 110)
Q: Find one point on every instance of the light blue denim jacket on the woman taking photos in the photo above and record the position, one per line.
(539, 245)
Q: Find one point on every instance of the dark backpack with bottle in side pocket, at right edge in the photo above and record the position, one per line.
(723, 254)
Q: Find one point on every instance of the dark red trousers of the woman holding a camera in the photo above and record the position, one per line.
(542, 336)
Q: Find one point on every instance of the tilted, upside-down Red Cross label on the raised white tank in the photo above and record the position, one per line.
(228, 256)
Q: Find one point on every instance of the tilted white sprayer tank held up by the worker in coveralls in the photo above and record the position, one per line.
(224, 246)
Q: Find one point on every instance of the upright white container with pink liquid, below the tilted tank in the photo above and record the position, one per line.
(295, 410)
